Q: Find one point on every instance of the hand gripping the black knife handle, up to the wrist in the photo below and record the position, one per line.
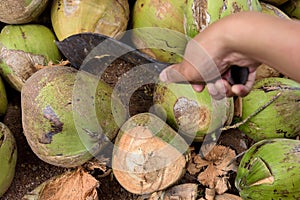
(207, 61)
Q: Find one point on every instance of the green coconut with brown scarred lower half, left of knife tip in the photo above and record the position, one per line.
(22, 48)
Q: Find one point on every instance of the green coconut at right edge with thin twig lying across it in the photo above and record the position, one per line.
(280, 119)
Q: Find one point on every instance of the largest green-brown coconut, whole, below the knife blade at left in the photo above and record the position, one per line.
(57, 131)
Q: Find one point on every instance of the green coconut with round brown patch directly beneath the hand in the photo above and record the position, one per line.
(192, 113)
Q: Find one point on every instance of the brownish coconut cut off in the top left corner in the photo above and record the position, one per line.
(21, 11)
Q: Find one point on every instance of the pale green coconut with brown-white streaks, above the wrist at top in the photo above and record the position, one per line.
(199, 14)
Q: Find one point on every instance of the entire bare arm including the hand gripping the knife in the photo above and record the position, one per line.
(245, 39)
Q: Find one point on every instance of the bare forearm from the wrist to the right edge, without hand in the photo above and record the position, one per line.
(267, 39)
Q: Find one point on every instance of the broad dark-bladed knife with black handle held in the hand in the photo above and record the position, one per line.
(94, 52)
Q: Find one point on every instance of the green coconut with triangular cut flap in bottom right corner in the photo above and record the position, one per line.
(270, 170)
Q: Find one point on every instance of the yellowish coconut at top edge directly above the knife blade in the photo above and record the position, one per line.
(107, 17)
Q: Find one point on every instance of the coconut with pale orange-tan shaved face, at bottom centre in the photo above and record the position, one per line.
(148, 155)
